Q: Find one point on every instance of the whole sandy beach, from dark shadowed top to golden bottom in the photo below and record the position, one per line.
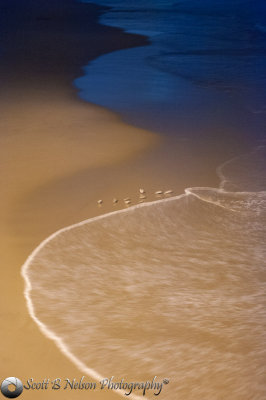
(59, 155)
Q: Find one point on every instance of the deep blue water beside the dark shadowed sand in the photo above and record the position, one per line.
(205, 68)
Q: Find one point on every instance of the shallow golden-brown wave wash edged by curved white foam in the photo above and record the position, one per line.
(173, 288)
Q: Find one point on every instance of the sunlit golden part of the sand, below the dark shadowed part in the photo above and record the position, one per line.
(55, 158)
